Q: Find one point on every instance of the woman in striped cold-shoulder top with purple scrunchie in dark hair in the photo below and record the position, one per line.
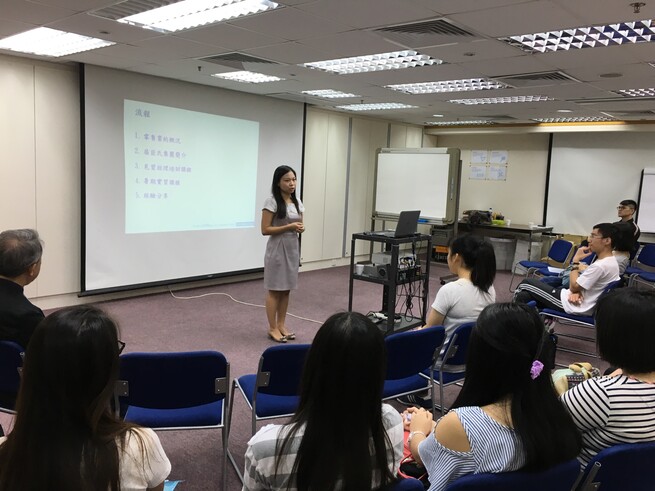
(507, 415)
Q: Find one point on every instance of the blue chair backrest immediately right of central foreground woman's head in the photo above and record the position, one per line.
(411, 352)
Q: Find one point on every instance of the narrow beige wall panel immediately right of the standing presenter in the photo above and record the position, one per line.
(314, 183)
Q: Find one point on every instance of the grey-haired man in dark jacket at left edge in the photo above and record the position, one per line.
(20, 264)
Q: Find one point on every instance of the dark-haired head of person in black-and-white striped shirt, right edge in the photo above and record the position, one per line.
(624, 329)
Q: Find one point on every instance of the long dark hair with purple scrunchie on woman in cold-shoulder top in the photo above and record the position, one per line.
(506, 340)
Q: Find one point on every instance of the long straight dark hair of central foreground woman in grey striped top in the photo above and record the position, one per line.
(340, 409)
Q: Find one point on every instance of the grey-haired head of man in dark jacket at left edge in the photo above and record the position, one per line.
(20, 255)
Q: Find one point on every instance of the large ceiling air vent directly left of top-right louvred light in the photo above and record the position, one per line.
(426, 33)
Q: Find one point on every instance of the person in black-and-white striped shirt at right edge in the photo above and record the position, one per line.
(619, 408)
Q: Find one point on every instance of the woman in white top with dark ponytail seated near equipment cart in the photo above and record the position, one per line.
(473, 260)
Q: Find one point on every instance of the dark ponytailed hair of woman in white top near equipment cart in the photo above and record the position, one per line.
(478, 256)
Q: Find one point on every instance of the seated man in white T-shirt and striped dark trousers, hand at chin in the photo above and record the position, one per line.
(586, 285)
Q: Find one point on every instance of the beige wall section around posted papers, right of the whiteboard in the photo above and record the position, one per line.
(516, 197)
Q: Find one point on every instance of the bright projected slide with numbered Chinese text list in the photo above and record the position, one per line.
(186, 170)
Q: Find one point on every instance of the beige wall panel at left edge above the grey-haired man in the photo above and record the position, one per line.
(17, 167)
